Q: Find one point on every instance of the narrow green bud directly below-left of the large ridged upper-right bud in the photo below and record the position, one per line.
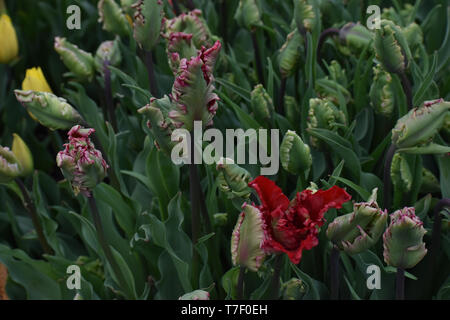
(382, 92)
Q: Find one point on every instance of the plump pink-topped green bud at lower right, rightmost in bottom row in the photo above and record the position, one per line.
(403, 240)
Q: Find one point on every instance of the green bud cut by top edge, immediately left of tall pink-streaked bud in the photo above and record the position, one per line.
(113, 17)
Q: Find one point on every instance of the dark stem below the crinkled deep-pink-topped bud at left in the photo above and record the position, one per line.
(106, 248)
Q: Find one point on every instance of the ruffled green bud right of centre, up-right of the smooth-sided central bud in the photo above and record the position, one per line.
(323, 114)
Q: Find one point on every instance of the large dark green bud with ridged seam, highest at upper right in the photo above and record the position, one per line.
(391, 47)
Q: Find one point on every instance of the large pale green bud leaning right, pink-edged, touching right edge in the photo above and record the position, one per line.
(419, 125)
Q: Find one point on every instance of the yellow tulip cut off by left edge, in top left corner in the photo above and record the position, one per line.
(9, 48)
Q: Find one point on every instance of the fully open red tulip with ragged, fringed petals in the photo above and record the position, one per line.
(292, 226)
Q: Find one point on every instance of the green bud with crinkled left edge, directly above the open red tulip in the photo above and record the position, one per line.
(295, 155)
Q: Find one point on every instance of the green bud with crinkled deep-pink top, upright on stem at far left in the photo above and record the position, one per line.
(81, 164)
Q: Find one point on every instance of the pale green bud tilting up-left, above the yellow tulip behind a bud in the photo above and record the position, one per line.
(79, 62)
